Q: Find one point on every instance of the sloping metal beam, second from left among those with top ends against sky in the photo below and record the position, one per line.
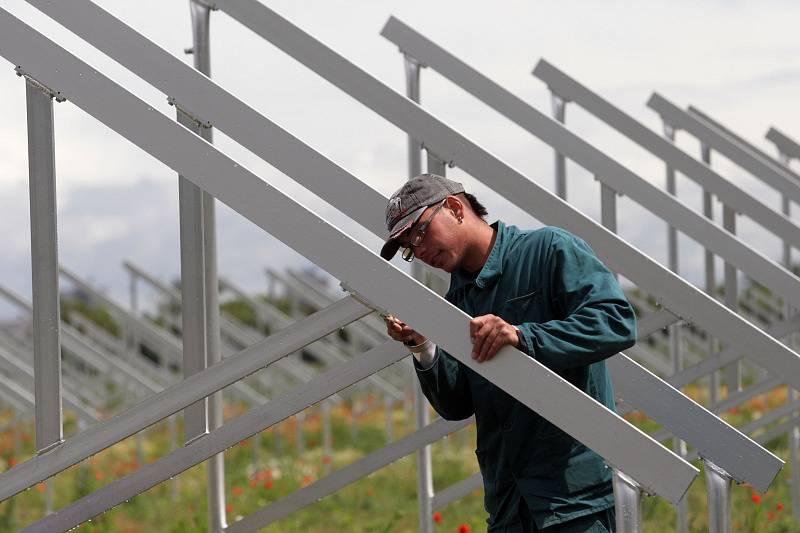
(732, 195)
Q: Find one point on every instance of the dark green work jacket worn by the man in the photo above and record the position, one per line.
(572, 315)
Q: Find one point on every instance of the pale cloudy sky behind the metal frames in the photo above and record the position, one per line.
(737, 61)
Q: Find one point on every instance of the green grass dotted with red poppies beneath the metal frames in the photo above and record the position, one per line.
(384, 501)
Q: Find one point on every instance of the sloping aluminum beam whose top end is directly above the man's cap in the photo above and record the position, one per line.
(616, 176)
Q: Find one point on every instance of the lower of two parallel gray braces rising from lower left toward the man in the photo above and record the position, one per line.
(220, 439)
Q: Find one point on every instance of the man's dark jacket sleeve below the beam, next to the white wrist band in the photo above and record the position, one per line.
(446, 386)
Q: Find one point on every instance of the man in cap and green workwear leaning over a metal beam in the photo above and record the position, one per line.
(543, 292)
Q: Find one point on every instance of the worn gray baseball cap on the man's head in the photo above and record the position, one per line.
(409, 202)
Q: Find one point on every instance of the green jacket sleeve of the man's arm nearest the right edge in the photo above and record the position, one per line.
(598, 321)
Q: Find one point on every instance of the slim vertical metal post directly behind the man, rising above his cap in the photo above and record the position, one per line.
(421, 415)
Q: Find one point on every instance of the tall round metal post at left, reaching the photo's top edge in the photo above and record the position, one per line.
(200, 15)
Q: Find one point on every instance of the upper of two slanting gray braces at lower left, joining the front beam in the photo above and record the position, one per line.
(171, 400)
